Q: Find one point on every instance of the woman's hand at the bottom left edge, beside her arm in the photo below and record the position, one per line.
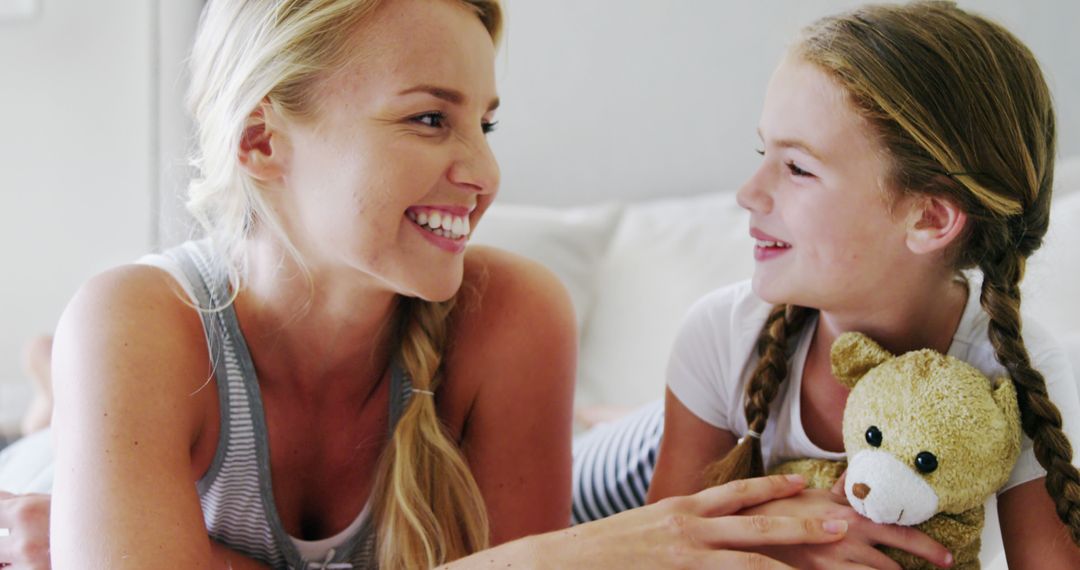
(25, 518)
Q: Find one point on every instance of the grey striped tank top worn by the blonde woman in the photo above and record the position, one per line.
(236, 493)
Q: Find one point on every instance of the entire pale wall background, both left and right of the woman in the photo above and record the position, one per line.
(604, 100)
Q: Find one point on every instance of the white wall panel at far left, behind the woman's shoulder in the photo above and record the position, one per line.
(76, 150)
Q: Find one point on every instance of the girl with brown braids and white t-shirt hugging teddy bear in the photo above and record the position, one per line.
(901, 147)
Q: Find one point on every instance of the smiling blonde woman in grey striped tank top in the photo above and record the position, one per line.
(331, 378)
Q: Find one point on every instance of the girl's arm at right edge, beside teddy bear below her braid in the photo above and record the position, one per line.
(1033, 535)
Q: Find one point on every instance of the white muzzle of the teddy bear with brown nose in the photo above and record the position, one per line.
(903, 497)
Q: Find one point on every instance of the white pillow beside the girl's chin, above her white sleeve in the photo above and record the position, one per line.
(666, 255)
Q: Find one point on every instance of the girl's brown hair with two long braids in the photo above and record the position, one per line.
(963, 110)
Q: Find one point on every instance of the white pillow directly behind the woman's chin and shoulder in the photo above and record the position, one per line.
(569, 241)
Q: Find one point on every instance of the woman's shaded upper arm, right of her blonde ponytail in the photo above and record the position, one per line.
(518, 343)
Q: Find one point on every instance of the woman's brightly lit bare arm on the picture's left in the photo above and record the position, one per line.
(131, 372)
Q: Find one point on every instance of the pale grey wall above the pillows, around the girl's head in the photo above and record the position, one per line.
(629, 99)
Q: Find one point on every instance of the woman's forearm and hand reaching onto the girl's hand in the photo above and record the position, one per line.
(696, 532)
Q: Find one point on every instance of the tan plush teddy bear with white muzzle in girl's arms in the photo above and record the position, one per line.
(928, 439)
